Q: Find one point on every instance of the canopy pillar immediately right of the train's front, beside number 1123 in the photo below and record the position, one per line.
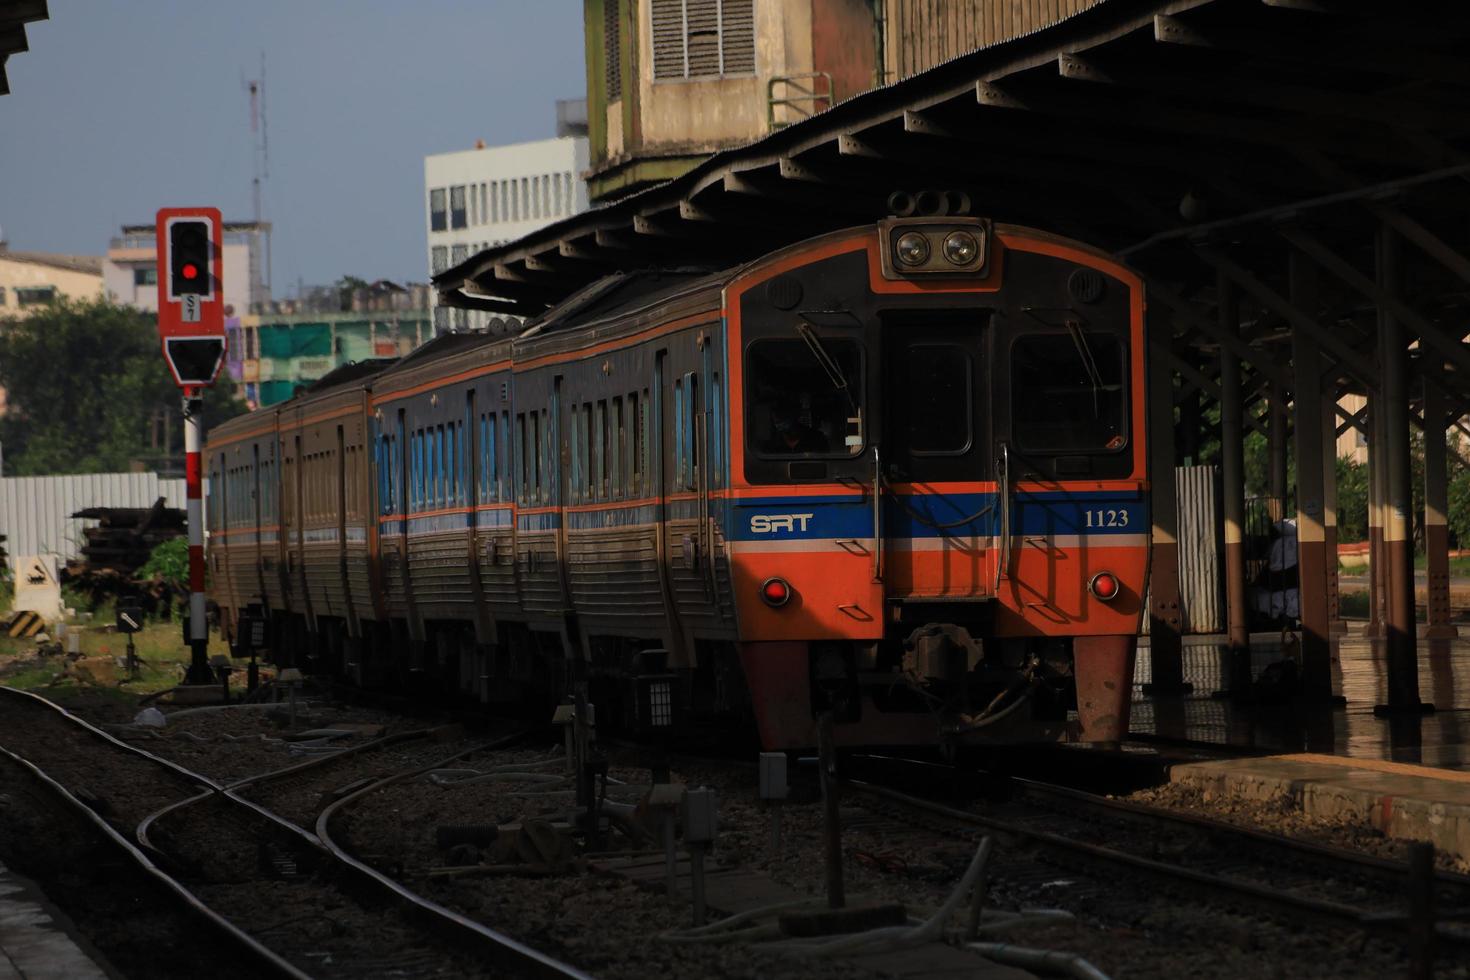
(1165, 647)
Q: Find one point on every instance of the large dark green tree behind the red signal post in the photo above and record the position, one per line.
(85, 383)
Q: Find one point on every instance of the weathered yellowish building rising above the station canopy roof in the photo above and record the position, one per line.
(673, 82)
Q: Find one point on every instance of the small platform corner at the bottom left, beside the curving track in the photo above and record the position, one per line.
(36, 941)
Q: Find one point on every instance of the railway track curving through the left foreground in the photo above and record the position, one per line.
(295, 906)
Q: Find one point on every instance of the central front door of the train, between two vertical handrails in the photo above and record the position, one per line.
(940, 489)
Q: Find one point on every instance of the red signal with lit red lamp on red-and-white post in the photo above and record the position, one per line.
(192, 333)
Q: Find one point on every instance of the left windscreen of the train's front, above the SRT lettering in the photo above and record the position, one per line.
(795, 405)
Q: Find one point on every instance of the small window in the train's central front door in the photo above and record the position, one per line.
(934, 417)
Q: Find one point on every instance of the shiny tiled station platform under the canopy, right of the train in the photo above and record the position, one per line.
(1406, 777)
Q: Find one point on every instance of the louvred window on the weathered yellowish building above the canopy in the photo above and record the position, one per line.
(703, 39)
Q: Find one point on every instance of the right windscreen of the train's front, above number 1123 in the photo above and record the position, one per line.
(1068, 393)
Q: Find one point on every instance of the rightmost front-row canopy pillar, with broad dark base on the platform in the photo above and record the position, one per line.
(1402, 652)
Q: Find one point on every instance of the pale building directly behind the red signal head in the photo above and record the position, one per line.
(130, 271)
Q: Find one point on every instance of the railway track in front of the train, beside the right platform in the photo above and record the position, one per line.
(1108, 841)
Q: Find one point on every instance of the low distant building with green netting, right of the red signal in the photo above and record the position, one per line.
(299, 342)
